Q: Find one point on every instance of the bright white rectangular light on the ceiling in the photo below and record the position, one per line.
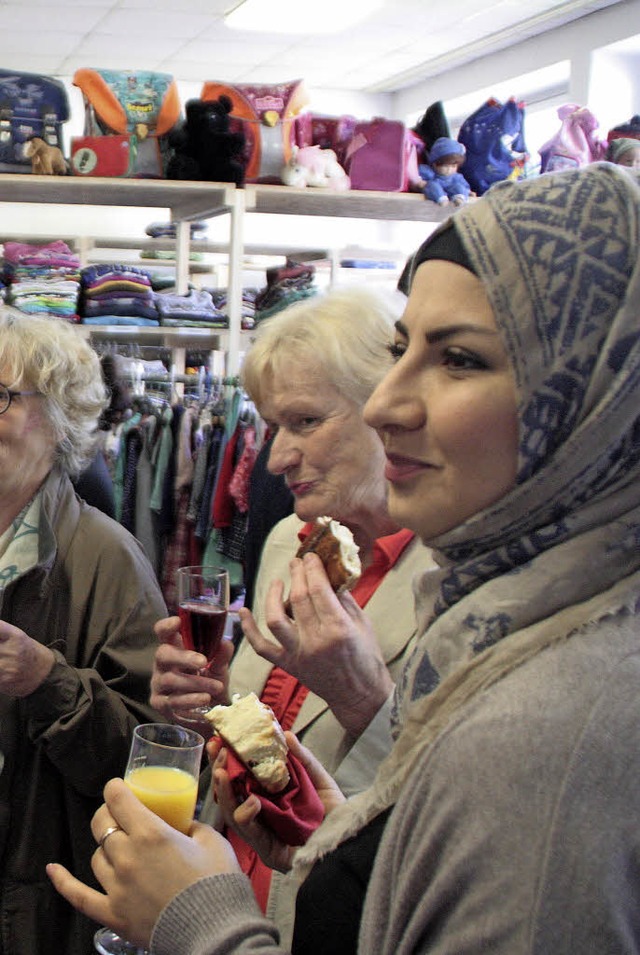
(299, 16)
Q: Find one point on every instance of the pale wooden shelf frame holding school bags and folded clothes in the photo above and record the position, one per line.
(190, 201)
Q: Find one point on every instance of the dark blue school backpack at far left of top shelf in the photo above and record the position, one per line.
(30, 105)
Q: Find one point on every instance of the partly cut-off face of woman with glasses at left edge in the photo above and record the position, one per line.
(27, 445)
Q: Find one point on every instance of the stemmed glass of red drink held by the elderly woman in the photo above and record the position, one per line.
(203, 604)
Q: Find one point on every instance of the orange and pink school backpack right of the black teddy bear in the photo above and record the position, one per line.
(266, 115)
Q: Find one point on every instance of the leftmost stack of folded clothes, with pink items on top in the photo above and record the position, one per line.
(42, 279)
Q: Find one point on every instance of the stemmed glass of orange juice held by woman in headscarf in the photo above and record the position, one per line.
(163, 771)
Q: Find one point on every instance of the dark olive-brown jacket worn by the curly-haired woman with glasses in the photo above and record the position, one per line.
(93, 599)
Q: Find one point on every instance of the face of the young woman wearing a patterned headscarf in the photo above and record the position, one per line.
(447, 410)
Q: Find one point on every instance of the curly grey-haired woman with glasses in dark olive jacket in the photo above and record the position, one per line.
(79, 600)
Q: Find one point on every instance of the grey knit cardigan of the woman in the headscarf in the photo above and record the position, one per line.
(518, 834)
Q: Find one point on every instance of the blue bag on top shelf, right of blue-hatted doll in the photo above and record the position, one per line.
(493, 137)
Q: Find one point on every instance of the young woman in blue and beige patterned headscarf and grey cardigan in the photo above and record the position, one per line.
(506, 818)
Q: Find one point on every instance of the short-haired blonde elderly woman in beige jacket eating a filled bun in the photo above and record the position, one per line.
(310, 372)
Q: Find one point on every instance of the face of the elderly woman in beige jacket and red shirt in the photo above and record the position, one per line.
(331, 460)
